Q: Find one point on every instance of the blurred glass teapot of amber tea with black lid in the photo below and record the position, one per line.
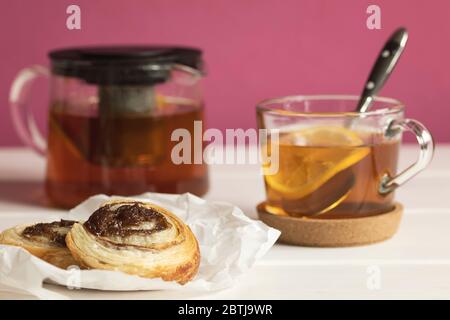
(112, 113)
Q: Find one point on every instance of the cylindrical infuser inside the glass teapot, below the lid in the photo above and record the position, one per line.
(129, 133)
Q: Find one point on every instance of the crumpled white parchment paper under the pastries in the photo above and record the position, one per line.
(230, 244)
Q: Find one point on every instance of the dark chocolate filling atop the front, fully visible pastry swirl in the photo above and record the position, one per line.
(125, 219)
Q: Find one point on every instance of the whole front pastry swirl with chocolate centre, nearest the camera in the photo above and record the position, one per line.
(136, 238)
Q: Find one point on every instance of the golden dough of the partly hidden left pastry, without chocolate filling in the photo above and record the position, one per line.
(44, 249)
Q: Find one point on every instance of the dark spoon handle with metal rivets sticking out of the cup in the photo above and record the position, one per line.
(387, 59)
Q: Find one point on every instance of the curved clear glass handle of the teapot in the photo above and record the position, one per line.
(25, 125)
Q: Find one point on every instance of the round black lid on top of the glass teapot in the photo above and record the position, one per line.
(123, 65)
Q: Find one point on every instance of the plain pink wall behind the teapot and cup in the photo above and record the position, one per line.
(254, 49)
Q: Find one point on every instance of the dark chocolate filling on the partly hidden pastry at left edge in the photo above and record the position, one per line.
(54, 232)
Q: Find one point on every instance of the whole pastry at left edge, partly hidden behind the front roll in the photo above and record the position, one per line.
(43, 240)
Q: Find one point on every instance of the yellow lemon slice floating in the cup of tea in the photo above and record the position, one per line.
(308, 158)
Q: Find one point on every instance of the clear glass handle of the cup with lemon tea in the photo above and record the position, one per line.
(426, 144)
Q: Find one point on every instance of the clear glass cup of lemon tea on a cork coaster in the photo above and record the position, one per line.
(333, 162)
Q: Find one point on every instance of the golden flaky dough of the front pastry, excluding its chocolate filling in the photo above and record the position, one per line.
(171, 254)
